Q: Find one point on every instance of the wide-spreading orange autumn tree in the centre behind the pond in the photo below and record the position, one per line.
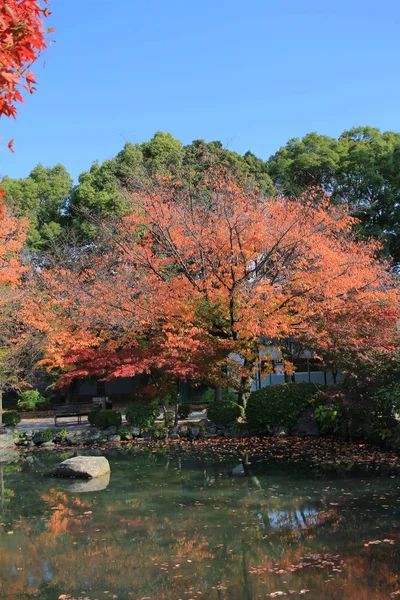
(190, 281)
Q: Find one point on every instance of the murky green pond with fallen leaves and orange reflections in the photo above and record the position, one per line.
(193, 523)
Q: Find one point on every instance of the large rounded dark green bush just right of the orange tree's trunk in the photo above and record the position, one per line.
(278, 405)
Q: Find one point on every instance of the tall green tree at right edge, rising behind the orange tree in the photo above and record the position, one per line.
(360, 168)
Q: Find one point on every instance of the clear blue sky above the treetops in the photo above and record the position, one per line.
(251, 74)
